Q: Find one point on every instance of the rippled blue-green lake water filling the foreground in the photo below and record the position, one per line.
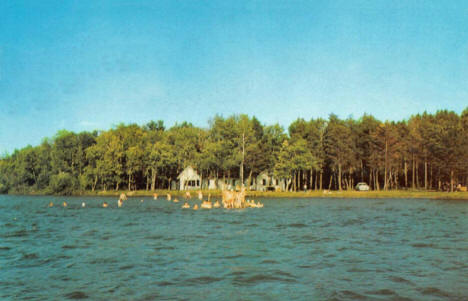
(293, 249)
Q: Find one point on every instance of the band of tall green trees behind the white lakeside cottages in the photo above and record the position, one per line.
(427, 151)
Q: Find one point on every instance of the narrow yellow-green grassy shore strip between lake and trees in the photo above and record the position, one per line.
(414, 194)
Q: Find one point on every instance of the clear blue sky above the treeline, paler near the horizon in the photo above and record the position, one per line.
(79, 65)
